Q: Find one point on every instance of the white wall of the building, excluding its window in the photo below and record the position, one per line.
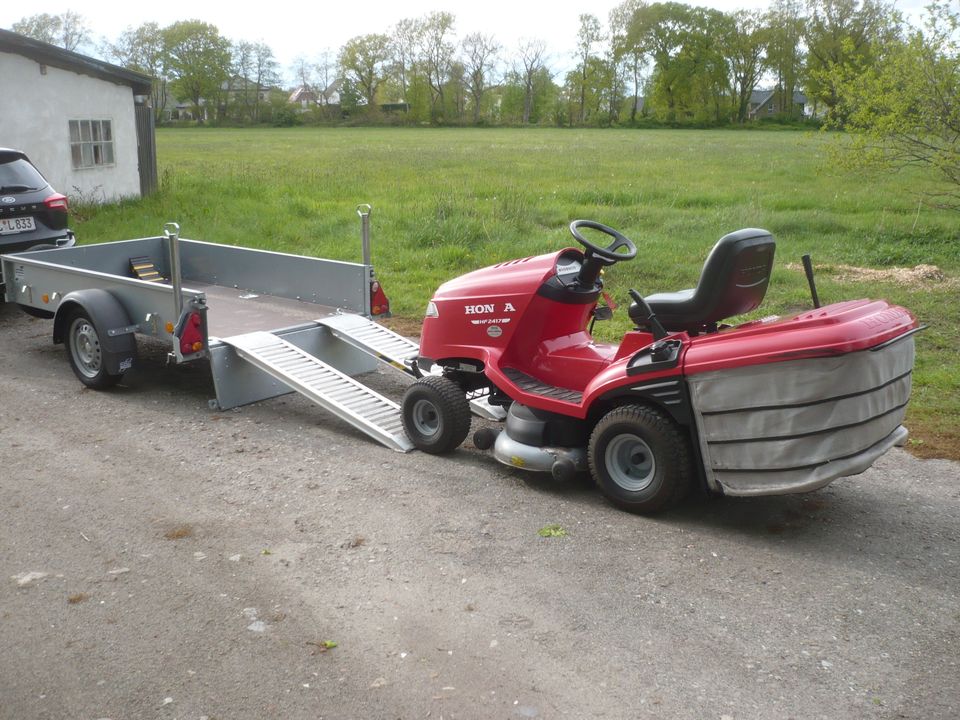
(35, 116)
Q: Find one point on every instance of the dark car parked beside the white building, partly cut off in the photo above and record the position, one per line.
(31, 212)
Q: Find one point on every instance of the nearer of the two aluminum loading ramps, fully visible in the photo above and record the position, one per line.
(339, 394)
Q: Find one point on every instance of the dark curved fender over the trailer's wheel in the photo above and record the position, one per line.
(117, 341)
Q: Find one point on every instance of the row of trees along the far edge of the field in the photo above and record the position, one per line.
(664, 62)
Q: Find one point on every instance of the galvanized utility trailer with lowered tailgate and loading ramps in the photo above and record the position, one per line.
(269, 323)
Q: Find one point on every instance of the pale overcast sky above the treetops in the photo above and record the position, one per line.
(294, 28)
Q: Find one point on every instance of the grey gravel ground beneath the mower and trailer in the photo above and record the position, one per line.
(195, 564)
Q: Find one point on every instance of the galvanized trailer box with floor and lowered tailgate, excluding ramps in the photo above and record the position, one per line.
(243, 291)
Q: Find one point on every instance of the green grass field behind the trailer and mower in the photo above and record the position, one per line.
(448, 201)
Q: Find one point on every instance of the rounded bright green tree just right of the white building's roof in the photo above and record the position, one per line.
(198, 60)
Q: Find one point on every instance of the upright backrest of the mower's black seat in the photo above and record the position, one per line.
(736, 274)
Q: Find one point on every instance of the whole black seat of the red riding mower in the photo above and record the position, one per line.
(733, 281)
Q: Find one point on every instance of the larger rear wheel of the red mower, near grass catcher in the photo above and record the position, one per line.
(640, 459)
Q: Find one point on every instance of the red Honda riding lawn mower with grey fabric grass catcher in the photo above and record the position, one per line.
(772, 406)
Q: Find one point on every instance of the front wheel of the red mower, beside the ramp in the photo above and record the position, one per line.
(436, 415)
